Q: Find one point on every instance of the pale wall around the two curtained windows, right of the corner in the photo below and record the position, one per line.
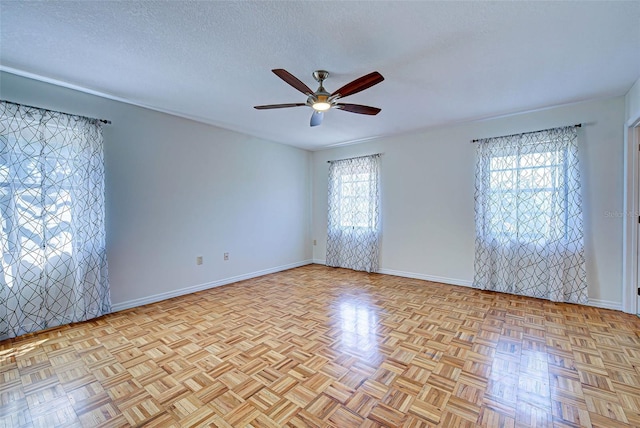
(428, 184)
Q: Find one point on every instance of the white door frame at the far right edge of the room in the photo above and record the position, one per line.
(631, 215)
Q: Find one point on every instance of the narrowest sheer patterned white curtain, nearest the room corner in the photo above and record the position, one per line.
(353, 233)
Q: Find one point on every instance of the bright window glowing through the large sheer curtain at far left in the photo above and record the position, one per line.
(35, 203)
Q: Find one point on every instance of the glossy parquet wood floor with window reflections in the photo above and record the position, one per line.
(322, 347)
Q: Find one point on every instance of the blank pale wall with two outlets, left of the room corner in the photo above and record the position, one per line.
(176, 189)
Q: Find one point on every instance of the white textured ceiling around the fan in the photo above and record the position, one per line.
(443, 62)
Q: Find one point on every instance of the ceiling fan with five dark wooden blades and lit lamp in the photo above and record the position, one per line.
(321, 100)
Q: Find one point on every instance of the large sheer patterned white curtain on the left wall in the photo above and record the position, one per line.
(53, 267)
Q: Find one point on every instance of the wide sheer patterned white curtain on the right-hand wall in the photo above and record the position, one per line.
(528, 207)
